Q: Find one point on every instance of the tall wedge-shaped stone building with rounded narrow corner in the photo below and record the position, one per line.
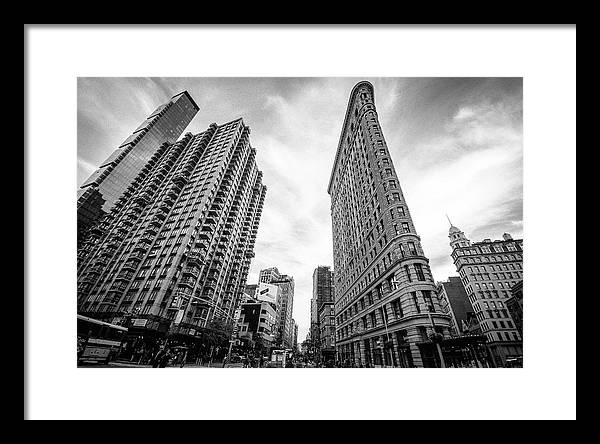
(386, 308)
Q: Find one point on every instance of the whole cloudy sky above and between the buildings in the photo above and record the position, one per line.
(456, 144)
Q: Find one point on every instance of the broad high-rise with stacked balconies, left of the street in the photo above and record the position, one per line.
(174, 251)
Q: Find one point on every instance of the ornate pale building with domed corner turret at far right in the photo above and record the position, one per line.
(488, 270)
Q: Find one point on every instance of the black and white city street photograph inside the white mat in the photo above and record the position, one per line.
(212, 232)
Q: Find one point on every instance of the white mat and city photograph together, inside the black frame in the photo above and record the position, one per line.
(300, 223)
